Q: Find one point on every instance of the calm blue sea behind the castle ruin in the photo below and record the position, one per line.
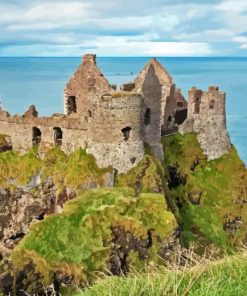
(40, 81)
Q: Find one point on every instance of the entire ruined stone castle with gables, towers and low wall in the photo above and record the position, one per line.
(114, 125)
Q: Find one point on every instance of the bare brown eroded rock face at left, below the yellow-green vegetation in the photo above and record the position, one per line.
(22, 206)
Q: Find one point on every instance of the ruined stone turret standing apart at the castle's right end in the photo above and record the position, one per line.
(207, 117)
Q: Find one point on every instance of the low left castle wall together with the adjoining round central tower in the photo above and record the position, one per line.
(113, 133)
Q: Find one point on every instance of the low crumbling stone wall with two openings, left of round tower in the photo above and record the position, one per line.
(20, 130)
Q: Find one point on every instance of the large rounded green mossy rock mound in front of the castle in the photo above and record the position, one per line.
(97, 231)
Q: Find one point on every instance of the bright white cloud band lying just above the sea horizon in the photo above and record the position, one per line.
(115, 46)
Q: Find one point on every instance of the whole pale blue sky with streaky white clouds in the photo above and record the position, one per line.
(123, 27)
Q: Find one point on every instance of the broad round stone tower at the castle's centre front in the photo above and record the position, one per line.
(117, 137)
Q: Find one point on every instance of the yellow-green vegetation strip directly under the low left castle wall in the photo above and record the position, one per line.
(77, 170)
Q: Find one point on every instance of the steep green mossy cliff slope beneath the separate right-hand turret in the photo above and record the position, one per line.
(213, 195)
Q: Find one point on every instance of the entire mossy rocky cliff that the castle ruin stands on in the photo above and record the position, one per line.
(157, 208)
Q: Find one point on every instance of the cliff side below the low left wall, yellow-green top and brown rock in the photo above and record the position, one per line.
(34, 185)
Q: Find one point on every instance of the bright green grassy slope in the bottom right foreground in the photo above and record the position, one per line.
(226, 277)
